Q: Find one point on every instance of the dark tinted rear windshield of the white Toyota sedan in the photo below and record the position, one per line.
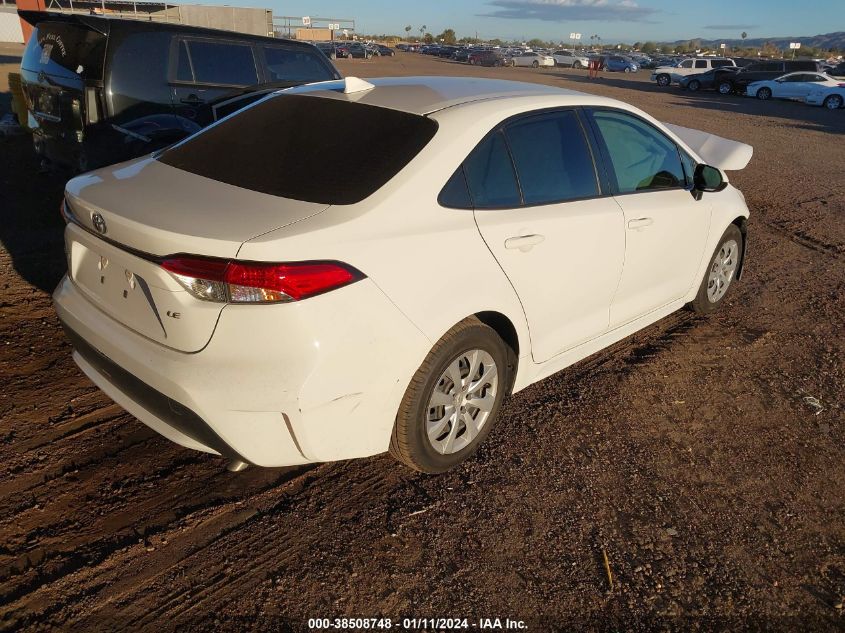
(307, 148)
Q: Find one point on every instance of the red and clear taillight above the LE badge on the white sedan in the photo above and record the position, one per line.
(258, 282)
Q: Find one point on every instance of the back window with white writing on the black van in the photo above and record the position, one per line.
(65, 50)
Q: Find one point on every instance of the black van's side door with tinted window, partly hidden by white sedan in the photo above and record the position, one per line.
(206, 71)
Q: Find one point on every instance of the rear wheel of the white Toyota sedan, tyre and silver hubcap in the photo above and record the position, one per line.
(429, 445)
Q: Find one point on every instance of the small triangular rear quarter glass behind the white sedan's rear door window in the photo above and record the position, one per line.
(490, 175)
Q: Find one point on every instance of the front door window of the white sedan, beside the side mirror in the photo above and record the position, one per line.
(642, 158)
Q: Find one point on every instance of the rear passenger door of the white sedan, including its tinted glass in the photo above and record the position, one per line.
(542, 213)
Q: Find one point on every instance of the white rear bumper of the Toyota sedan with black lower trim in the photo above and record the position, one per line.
(280, 385)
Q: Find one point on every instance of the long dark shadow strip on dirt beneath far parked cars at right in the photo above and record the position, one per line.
(798, 114)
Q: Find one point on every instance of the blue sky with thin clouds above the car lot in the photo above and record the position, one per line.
(613, 20)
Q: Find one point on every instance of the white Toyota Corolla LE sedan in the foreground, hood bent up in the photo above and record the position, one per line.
(240, 299)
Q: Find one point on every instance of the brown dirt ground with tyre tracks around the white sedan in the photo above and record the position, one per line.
(693, 455)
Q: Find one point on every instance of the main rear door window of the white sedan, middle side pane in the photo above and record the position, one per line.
(552, 158)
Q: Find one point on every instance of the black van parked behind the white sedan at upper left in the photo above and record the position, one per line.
(101, 90)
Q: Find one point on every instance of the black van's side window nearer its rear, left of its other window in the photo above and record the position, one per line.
(224, 63)
